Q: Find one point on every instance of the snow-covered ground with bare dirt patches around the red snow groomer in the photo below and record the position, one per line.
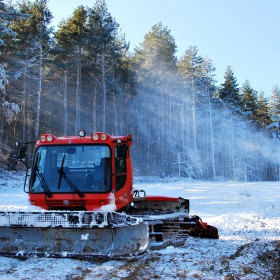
(246, 214)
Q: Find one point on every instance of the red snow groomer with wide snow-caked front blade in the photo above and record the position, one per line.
(90, 210)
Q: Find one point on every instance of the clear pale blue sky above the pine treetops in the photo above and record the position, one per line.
(244, 34)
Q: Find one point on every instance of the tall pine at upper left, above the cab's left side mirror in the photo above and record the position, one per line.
(30, 47)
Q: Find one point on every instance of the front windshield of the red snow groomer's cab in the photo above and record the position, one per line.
(71, 168)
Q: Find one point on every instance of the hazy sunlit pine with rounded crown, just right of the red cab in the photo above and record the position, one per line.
(154, 66)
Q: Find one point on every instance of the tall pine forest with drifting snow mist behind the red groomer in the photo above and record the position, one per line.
(83, 76)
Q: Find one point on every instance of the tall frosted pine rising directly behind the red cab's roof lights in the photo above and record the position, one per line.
(105, 51)
